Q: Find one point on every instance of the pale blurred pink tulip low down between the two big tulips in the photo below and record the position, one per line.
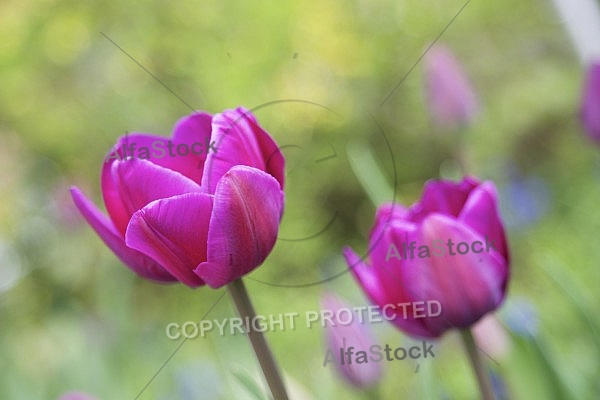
(350, 332)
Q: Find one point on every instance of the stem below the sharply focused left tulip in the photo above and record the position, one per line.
(238, 292)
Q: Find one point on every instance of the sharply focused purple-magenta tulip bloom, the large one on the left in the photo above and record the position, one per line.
(202, 218)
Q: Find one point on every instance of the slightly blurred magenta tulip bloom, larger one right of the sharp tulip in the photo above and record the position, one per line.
(450, 247)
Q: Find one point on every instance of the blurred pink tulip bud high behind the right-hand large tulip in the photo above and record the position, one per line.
(450, 96)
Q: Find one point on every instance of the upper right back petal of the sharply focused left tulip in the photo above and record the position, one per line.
(241, 141)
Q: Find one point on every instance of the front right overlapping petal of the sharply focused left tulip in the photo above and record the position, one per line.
(248, 206)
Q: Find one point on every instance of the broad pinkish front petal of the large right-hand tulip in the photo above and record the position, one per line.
(467, 286)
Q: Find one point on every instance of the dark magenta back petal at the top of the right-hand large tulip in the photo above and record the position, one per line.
(442, 196)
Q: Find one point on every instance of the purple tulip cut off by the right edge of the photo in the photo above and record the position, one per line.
(590, 103)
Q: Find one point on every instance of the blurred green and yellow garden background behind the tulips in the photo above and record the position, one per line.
(73, 317)
